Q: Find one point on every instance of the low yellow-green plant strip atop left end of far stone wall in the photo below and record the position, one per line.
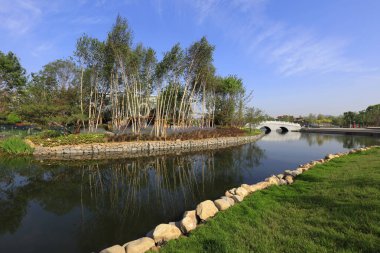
(71, 139)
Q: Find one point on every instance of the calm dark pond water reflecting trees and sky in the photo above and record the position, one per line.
(87, 206)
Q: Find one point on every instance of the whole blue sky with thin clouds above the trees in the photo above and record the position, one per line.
(298, 56)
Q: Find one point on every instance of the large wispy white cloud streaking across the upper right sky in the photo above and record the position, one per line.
(290, 50)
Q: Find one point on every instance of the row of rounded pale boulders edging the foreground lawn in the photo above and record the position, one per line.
(208, 209)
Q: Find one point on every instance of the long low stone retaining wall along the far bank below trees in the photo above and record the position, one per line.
(136, 149)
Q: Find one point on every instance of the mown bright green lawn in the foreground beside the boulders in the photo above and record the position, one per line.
(334, 207)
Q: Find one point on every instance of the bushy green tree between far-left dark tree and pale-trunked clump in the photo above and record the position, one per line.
(51, 97)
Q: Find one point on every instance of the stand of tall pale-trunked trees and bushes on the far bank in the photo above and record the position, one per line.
(123, 83)
